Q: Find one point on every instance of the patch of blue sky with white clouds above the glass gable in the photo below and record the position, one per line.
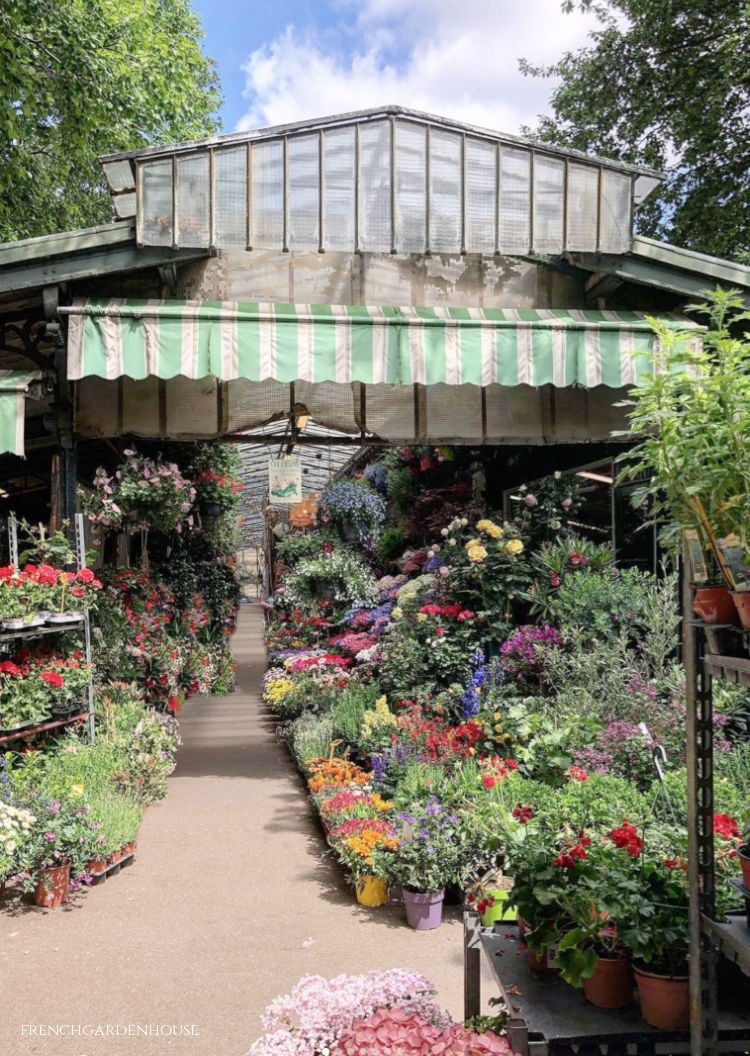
(457, 59)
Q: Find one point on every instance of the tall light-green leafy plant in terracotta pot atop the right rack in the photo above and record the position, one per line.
(690, 420)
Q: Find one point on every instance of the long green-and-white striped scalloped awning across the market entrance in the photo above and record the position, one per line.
(345, 344)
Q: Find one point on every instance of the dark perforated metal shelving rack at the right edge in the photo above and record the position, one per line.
(708, 937)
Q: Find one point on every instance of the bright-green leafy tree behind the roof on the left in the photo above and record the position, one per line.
(80, 79)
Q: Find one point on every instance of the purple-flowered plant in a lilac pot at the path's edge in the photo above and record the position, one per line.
(430, 856)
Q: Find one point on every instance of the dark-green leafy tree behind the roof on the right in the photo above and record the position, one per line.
(666, 84)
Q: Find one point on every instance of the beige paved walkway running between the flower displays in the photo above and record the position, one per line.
(230, 901)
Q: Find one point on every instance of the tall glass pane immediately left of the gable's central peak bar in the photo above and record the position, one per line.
(376, 187)
